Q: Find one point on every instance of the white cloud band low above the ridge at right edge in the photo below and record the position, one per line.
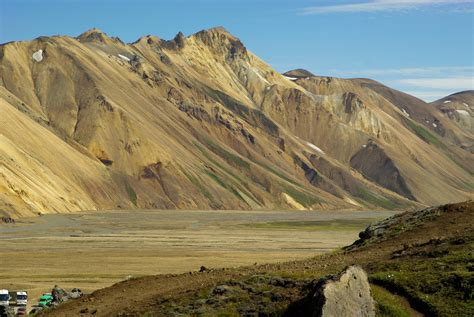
(458, 83)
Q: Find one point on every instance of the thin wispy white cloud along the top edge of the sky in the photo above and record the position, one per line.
(380, 5)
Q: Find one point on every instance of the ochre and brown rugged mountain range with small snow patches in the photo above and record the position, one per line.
(199, 122)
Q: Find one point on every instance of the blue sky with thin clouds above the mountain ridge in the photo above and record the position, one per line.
(423, 47)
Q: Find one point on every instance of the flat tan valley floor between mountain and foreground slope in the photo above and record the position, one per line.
(95, 250)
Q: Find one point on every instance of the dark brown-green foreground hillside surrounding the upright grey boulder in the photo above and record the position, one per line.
(419, 263)
